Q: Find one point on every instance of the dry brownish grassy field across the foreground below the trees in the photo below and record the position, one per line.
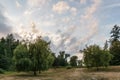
(112, 73)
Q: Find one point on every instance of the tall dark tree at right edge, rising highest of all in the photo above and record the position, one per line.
(115, 45)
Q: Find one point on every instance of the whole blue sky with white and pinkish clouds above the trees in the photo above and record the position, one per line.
(68, 24)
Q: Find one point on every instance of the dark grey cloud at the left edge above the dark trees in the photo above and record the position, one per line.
(4, 26)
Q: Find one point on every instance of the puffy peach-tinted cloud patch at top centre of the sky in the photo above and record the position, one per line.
(61, 7)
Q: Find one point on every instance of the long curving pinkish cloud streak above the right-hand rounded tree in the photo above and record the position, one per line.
(91, 25)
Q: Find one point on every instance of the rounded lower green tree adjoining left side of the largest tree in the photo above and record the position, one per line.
(22, 58)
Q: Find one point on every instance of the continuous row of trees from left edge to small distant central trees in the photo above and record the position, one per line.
(35, 56)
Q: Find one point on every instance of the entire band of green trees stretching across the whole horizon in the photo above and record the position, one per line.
(36, 56)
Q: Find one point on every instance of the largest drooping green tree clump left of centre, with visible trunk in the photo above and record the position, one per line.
(35, 56)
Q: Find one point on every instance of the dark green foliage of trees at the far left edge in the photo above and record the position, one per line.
(7, 45)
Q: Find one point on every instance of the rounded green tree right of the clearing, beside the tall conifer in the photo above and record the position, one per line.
(94, 56)
